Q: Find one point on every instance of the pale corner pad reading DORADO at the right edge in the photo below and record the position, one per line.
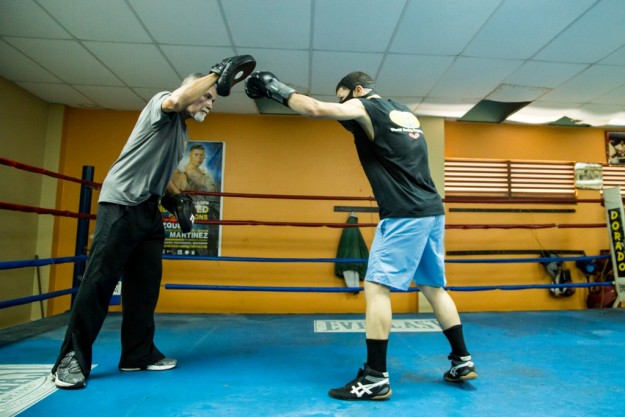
(616, 221)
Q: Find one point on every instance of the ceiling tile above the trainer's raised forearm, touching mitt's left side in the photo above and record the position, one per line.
(189, 59)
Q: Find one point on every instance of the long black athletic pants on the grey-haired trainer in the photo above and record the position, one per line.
(128, 242)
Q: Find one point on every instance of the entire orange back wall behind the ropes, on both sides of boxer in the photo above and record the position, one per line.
(295, 155)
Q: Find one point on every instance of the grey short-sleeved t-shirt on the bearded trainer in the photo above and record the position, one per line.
(149, 158)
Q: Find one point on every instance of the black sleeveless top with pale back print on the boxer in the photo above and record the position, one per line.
(396, 161)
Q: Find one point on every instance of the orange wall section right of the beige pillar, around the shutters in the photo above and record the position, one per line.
(478, 140)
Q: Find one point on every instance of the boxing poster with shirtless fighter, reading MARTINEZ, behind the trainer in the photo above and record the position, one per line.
(199, 171)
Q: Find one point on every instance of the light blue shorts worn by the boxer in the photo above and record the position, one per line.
(410, 249)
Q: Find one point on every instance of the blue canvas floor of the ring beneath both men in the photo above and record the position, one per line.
(557, 363)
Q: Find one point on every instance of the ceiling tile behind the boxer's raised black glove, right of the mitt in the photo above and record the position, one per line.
(290, 66)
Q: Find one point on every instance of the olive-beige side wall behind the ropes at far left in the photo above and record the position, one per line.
(30, 132)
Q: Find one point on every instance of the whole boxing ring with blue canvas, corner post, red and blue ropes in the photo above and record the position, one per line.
(556, 363)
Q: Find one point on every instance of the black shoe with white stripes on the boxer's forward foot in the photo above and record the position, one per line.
(368, 385)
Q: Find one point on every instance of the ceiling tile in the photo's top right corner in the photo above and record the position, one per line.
(595, 35)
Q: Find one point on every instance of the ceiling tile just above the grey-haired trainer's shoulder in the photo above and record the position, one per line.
(134, 63)
